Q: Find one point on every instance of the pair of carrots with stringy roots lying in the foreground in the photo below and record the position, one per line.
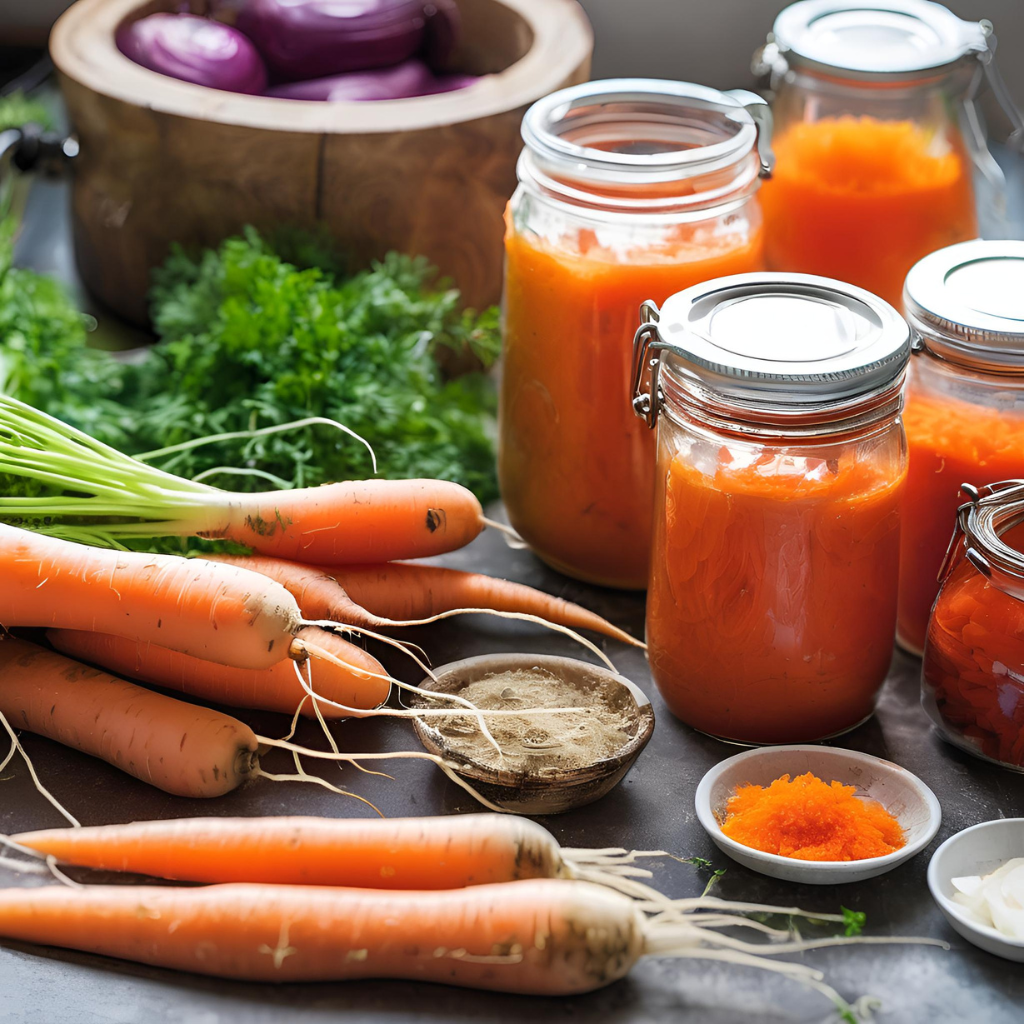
(483, 902)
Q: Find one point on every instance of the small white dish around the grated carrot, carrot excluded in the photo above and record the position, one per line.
(900, 792)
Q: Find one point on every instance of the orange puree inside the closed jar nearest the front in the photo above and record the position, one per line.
(771, 619)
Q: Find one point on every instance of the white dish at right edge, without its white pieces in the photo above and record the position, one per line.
(978, 850)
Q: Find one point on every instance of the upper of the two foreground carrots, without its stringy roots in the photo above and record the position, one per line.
(446, 852)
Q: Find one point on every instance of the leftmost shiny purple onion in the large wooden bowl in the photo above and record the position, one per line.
(195, 50)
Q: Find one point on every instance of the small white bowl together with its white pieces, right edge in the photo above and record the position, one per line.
(977, 878)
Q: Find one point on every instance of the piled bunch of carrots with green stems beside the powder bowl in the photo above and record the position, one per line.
(260, 632)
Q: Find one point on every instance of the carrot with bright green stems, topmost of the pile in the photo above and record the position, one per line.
(107, 497)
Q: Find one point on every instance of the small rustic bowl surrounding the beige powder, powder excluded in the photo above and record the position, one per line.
(550, 791)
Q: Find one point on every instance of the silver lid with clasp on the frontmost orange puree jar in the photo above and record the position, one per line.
(773, 340)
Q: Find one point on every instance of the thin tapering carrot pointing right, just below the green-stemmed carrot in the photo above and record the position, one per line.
(402, 593)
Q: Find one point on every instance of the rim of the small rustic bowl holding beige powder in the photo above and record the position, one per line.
(559, 780)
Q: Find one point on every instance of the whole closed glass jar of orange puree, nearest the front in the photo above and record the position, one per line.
(781, 463)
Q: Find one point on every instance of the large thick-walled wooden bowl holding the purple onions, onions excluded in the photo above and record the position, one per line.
(164, 161)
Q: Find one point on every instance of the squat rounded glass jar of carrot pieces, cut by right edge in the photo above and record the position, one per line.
(973, 678)
